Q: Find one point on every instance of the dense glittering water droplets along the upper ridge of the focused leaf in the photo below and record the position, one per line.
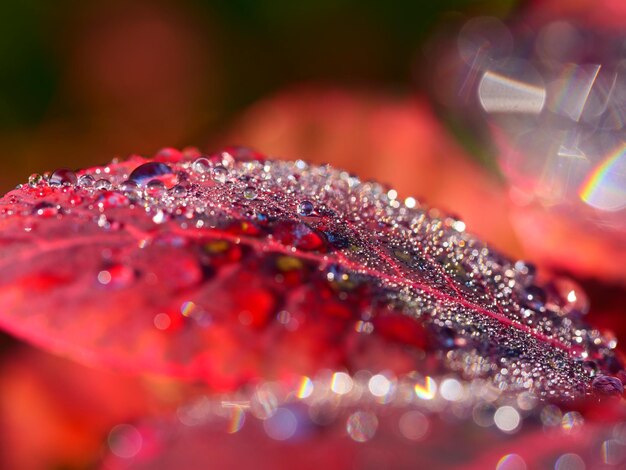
(488, 316)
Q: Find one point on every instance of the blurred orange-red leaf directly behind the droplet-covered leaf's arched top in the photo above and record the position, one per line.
(397, 140)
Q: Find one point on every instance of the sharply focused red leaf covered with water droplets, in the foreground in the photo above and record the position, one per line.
(233, 268)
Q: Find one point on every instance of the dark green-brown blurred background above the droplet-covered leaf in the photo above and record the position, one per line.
(82, 81)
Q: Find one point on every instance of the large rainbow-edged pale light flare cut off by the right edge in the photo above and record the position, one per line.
(605, 187)
